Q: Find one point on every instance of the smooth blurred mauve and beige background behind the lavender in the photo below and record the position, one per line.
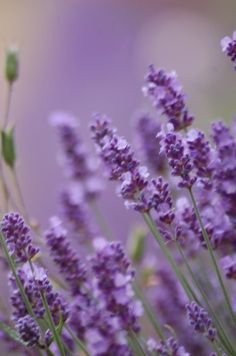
(83, 56)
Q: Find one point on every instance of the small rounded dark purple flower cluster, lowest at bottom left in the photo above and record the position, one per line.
(28, 330)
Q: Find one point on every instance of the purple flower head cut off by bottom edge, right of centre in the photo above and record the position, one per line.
(169, 347)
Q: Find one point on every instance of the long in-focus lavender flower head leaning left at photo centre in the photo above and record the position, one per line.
(121, 164)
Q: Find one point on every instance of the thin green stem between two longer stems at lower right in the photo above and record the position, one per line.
(221, 333)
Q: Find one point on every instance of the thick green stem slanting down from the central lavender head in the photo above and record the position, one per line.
(188, 289)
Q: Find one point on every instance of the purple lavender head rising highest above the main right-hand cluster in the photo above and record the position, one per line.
(167, 96)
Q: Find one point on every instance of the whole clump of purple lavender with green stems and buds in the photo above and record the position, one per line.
(176, 297)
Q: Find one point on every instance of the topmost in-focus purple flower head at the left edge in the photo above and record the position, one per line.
(17, 236)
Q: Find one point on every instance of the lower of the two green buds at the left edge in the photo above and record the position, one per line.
(8, 147)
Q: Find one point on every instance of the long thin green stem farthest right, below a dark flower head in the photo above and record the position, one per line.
(213, 258)
